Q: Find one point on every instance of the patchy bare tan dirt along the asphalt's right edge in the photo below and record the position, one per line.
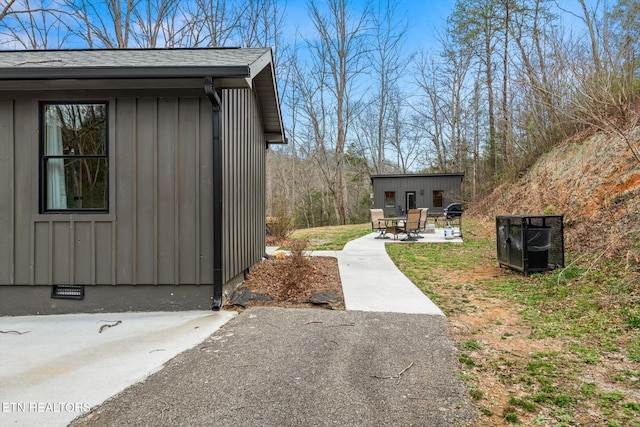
(501, 354)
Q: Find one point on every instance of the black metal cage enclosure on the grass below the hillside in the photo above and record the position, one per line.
(531, 243)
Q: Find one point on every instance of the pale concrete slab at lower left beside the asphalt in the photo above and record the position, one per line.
(53, 368)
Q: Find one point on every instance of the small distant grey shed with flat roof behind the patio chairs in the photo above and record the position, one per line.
(398, 193)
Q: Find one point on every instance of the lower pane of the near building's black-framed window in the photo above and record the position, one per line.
(77, 183)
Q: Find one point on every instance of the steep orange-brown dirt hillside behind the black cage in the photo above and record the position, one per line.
(593, 180)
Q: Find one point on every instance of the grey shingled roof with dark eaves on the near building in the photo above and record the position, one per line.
(234, 67)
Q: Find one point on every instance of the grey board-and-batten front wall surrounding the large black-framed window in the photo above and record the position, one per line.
(158, 229)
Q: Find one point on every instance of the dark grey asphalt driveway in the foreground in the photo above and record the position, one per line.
(303, 367)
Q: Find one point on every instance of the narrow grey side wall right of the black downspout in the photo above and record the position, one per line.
(244, 172)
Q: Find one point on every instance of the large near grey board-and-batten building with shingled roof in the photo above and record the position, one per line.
(132, 179)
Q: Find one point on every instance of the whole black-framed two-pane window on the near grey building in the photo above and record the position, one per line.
(74, 169)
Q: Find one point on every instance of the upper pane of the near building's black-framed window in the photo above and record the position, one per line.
(75, 129)
